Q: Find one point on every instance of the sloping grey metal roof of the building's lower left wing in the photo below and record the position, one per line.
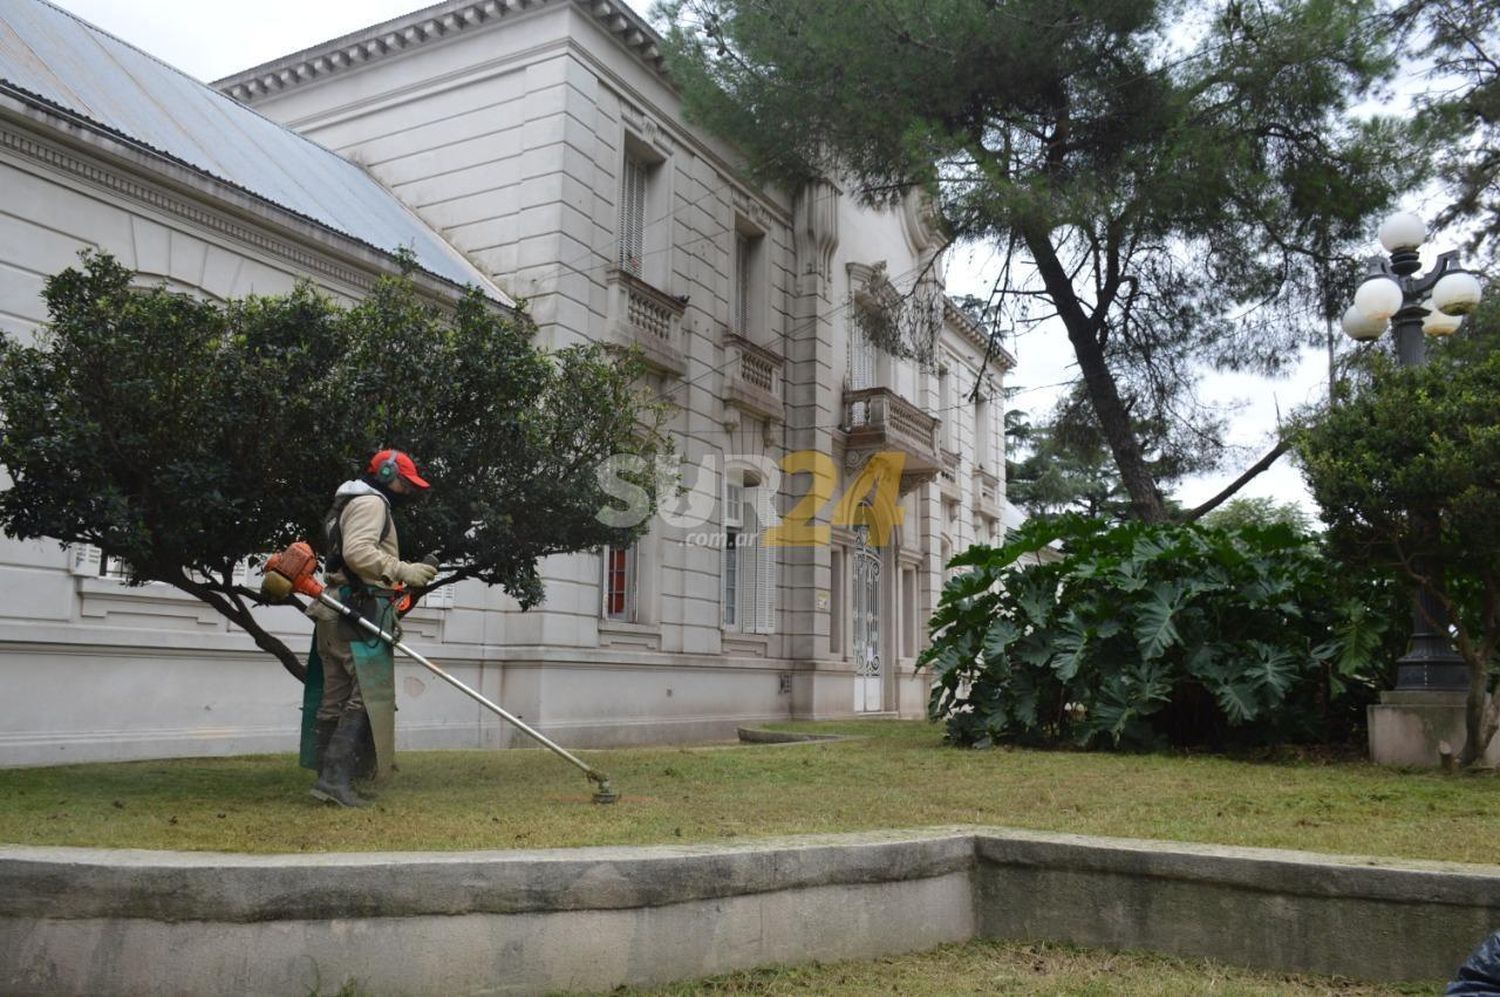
(67, 62)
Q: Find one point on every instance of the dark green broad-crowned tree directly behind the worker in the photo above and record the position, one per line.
(184, 437)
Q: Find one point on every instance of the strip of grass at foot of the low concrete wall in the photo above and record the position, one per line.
(1000, 968)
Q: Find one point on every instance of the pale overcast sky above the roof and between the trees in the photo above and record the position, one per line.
(212, 41)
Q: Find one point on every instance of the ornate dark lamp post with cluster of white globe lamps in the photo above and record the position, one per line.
(1415, 307)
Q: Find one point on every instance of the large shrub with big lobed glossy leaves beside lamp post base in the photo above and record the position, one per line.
(1145, 635)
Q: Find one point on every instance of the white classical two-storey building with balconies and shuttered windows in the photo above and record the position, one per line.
(535, 149)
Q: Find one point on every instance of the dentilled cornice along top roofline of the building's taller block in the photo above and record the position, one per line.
(428, 26)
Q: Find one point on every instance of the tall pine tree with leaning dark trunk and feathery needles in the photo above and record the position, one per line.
(1174, 185)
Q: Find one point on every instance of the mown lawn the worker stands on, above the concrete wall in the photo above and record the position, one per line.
(898, 774)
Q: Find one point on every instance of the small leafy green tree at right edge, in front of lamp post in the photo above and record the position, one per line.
(1408, 478)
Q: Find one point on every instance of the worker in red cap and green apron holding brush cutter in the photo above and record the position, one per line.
(350, 698)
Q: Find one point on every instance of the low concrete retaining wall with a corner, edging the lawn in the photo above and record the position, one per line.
(82, 921)
